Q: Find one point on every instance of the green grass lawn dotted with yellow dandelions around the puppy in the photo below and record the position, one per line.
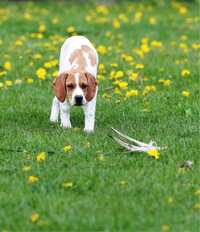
(148, 89)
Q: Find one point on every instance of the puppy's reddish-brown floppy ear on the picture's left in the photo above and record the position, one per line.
(59, 86)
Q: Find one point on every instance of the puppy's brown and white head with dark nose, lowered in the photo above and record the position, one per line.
(78, 88)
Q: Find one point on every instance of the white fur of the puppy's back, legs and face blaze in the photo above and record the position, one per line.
(89, 108)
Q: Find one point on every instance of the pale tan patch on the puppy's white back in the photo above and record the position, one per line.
(78, 57)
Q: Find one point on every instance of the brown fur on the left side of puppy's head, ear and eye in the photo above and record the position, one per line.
(64, 85)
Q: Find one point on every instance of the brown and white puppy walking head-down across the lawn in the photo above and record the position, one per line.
(76, 84)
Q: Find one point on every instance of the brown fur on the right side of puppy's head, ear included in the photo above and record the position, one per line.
(90, 87)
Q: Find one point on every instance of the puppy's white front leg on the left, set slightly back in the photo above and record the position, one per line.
(65, 115)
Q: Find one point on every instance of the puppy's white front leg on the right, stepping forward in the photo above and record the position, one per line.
(89, 111)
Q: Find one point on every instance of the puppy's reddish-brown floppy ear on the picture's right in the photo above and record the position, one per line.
(91, 88)
